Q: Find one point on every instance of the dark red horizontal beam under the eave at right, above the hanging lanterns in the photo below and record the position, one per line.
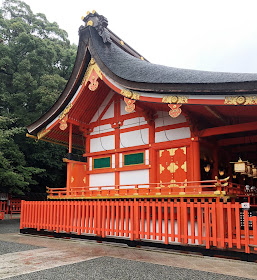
(228, 129)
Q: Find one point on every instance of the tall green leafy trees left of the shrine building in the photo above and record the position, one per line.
(36, 60)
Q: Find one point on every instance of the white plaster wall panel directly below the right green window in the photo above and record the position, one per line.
(134, 177)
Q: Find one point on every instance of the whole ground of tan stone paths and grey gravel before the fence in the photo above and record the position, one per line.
(35, 257)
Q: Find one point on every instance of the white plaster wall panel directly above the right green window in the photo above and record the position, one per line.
(133, 138)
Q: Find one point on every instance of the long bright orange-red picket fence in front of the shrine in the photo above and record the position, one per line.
(172, 221)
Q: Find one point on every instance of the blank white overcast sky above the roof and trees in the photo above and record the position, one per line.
(210, 35)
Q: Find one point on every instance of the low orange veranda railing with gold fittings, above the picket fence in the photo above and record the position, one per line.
(218, 187)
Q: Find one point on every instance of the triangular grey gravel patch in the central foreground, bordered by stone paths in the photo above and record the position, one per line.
(113, 268)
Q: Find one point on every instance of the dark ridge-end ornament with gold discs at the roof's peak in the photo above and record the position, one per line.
(100, 23)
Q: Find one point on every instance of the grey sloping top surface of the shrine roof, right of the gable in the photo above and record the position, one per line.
(133, 69)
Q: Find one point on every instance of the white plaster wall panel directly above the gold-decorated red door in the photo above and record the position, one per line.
(172, 134)
